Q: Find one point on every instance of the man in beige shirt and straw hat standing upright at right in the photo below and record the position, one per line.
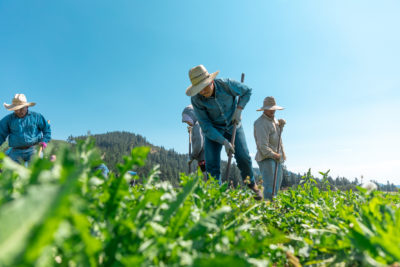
(267, 131)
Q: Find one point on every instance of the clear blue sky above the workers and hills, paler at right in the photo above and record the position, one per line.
(123, 65)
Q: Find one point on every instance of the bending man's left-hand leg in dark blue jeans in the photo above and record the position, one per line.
(213, 158)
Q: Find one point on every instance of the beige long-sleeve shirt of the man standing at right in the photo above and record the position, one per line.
(266, 133)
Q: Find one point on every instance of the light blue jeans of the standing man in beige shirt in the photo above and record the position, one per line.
(267, 169)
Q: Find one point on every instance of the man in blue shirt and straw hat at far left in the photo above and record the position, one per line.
(24, 129)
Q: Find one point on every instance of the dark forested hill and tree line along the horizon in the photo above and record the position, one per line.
(115, 145)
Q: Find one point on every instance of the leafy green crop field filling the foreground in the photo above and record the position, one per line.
(66, 214)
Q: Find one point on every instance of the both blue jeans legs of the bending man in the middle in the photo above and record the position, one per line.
(242, 156)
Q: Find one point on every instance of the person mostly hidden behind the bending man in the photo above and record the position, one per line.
(197, 138)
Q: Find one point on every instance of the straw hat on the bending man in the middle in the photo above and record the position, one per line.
(200, 78)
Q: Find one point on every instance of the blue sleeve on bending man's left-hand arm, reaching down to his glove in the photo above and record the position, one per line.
(206, 124)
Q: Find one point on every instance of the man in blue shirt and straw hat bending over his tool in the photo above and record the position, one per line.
(214, 102)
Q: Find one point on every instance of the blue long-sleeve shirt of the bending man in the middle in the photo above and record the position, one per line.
(215, 113)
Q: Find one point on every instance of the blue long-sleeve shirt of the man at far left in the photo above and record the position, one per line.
(26, 131)
